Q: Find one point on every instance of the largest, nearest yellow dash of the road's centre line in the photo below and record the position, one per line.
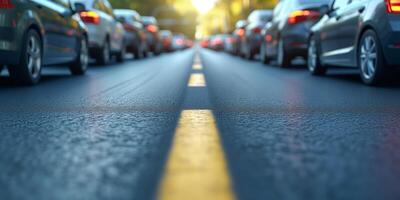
(196, 169)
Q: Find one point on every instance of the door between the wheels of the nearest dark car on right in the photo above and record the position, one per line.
(334, 46)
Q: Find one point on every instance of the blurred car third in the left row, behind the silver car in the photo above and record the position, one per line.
(135, 34)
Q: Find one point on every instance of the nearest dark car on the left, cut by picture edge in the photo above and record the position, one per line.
(37, 33)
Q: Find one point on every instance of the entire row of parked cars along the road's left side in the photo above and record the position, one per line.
(35, 33)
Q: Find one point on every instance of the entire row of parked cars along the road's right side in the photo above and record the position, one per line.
(363, 34)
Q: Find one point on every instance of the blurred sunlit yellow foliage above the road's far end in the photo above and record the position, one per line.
(196, 18)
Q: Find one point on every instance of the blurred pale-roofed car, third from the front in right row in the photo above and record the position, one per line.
(250, 43)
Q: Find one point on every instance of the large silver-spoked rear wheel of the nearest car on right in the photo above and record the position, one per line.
(373, 69)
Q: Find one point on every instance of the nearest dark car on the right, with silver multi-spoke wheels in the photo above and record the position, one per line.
(363, 34)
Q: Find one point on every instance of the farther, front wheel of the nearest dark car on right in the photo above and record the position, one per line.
(313, 60)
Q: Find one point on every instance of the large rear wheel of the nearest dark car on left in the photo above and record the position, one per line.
(28, 71)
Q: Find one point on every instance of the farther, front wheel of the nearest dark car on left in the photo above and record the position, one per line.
(80, 65)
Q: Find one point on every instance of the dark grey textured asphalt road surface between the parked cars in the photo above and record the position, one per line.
(286, 135)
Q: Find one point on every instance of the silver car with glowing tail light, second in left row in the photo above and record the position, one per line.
(106, 34)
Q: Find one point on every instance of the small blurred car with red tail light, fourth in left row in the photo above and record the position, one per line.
(153, 36)
